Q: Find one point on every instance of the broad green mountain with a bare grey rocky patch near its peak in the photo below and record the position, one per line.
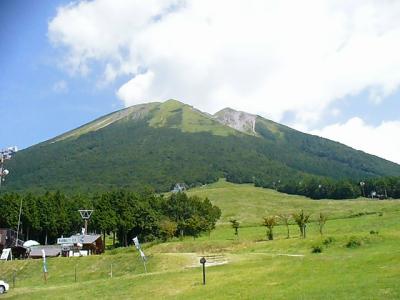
(160, 144)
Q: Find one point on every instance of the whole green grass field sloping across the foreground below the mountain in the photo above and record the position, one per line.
(244, 267)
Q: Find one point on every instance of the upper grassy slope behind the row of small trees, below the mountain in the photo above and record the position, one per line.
(250, 204)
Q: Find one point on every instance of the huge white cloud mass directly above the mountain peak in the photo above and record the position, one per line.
(265, 57)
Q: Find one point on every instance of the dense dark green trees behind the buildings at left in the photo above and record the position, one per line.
(125, 214)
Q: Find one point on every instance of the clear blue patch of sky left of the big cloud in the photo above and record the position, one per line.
(32, 109)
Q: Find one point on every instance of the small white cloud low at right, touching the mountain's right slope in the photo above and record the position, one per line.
(381, 140)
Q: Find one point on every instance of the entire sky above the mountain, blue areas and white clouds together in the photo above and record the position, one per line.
(332, 70)
